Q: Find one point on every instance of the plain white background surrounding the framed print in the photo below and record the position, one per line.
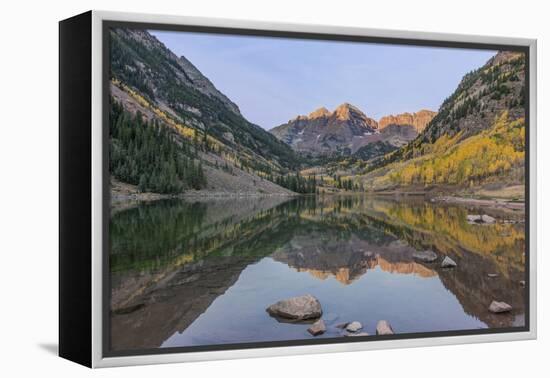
(28, 186)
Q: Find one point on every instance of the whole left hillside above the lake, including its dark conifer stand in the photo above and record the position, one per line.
(214, 146)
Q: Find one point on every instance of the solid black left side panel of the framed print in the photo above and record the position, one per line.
(75, 189)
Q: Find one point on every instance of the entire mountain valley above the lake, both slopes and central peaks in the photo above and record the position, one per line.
(174, 133)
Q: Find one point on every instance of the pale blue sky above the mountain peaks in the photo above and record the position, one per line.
(275, 79)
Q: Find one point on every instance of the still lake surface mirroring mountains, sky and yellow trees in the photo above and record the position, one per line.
(202, 273)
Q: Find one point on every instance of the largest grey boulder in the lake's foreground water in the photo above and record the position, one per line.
(297, 308)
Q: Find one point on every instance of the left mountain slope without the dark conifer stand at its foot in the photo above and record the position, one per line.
(236, 155)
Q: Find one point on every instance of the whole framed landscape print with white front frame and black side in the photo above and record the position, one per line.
(233, 189)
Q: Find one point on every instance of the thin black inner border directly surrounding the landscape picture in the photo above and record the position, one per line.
(106, 284)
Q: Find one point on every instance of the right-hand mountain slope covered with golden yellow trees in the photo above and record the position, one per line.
(476, 139)
